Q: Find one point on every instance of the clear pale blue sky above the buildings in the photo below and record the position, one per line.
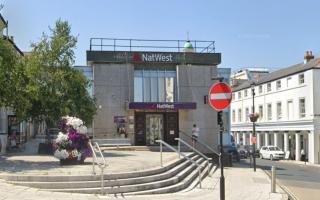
(271, 34)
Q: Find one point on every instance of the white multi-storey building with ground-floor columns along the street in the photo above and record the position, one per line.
(287, 101)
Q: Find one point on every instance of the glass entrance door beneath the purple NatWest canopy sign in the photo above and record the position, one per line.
(154, 128)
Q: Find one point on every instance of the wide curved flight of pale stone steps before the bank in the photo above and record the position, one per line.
(184, 173)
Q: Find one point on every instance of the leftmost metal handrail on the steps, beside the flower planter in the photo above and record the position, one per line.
(101, 165)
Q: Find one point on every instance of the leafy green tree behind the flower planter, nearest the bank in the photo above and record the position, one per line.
(58, 88)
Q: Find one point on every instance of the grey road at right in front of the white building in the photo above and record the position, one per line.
(303, 181)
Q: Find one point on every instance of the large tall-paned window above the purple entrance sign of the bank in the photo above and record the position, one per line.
(154, 85)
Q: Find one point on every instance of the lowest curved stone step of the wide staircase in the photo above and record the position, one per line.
(136, 187)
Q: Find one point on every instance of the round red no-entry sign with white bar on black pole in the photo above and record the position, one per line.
(220, 96)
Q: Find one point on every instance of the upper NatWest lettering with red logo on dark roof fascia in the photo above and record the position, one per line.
(153, 57)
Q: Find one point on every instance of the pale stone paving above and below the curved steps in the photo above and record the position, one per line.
(241, 183)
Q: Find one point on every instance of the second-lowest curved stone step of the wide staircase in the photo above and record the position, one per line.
(108, 182)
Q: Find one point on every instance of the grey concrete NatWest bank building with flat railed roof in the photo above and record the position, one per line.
(150, 89)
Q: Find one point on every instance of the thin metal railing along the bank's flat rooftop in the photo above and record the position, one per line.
(113, 44)
